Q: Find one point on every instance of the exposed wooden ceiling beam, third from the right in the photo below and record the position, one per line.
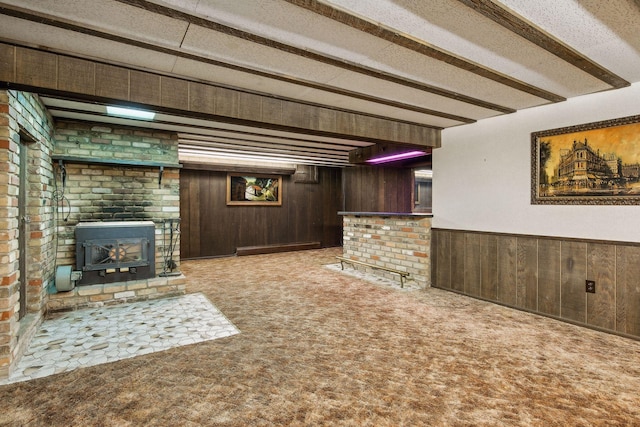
(308, 54)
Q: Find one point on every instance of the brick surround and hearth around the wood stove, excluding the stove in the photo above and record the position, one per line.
(97, 191)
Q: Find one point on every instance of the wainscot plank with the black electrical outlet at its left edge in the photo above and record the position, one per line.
(601, 267)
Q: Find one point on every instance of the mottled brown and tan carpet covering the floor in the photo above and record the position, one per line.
(320, 348)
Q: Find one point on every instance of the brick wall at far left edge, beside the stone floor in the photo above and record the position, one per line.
(24, 124)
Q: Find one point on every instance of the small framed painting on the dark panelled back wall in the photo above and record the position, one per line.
(261, 190)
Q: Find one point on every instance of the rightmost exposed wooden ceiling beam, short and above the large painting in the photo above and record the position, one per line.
(524, 29)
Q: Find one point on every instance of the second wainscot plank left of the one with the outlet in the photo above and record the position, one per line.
(549, 276)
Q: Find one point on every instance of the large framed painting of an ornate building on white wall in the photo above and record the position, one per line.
(591, 164)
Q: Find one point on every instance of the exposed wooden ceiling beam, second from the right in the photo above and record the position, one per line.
(393, 36)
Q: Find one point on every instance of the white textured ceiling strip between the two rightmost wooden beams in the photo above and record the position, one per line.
(455, 28)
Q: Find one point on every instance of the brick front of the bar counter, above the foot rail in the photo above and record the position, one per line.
(397, 241)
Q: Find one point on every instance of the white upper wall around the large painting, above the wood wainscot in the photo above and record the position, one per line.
(482, 174)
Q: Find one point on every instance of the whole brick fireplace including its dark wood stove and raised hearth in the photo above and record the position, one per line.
(107, 178)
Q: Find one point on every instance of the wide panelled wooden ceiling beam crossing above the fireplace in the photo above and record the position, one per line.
(50, 73)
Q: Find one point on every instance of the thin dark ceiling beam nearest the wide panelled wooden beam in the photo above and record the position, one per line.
(67, 25)
